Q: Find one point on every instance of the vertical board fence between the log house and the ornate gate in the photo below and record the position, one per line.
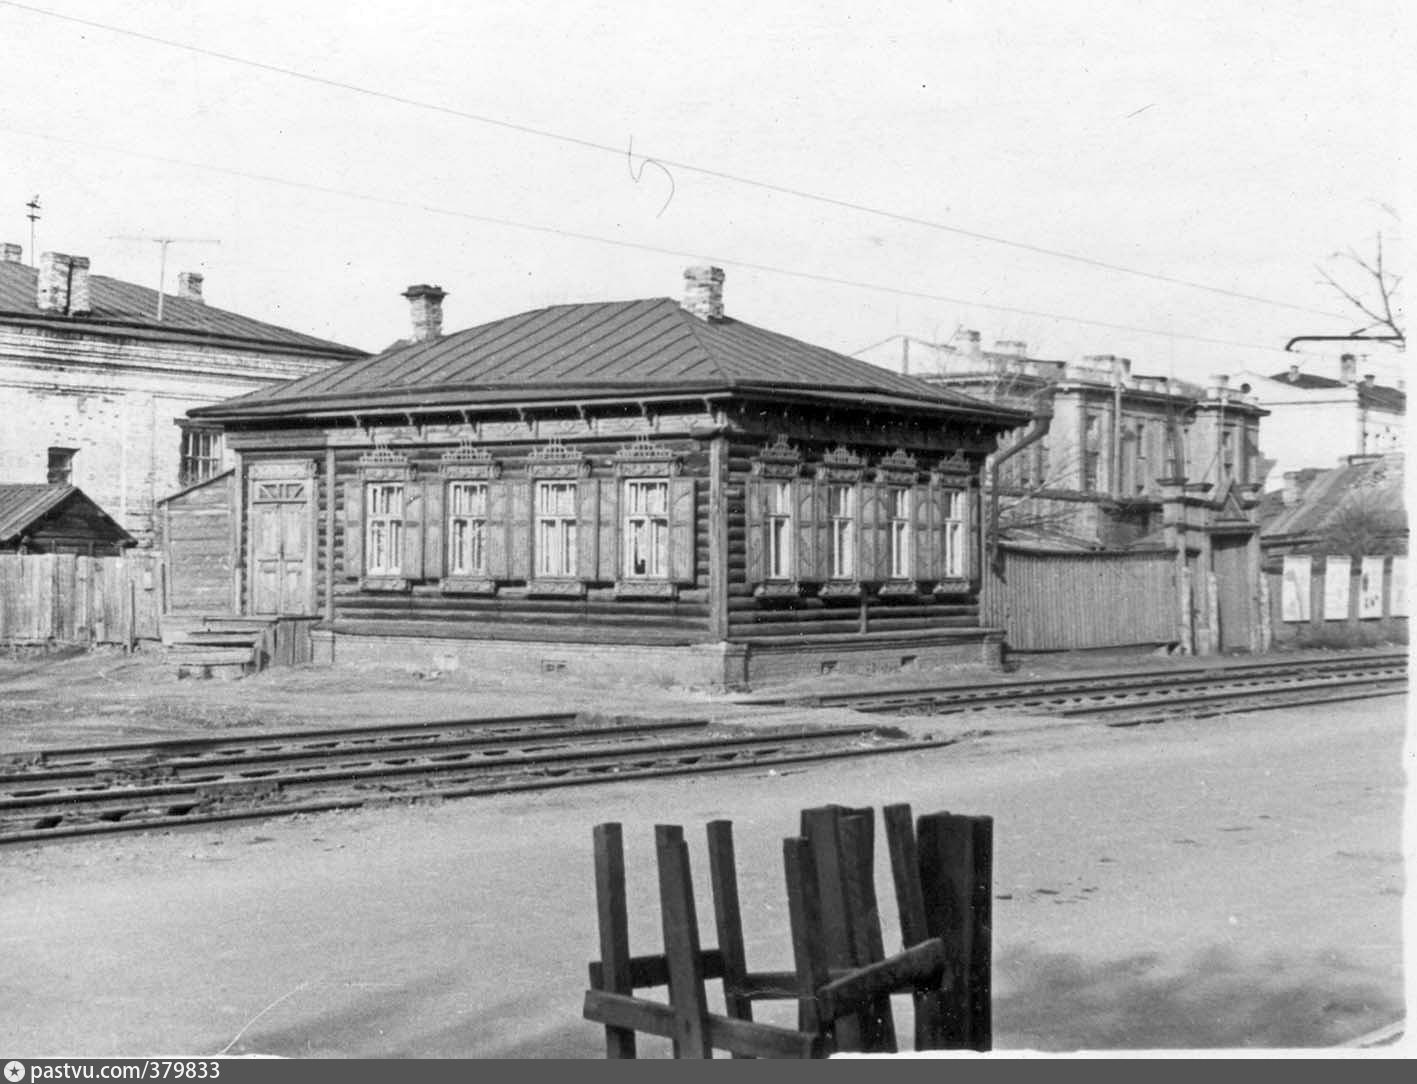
(1066, 602)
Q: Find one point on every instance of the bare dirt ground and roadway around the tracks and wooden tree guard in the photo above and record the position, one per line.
(1198, 885)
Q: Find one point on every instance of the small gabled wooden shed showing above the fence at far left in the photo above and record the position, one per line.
(38, 518)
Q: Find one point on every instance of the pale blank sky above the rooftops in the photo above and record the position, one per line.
(1092, 179)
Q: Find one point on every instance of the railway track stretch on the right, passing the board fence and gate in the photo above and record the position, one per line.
(1133, 698)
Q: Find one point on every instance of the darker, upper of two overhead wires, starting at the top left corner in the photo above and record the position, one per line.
(687, 166)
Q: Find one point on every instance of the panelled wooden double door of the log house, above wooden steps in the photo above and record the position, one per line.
(281, 515)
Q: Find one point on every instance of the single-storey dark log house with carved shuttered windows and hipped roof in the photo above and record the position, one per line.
(645, 490)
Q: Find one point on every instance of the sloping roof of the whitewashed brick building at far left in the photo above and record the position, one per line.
(131, 310)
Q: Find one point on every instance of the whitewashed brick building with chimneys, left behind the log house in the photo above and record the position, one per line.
(97, 378)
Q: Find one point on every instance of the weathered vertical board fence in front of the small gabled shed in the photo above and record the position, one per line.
(66, 599)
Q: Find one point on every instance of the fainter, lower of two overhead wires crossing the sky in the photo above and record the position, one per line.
(637, 246)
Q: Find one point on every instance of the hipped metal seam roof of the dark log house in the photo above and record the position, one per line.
(597, 351)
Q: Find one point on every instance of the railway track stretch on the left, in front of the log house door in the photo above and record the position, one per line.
(60, 794)
